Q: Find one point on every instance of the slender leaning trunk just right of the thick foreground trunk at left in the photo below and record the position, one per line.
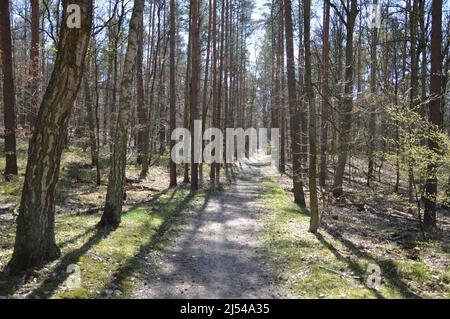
(115, 192)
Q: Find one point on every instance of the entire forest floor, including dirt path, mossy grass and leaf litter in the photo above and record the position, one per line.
(246, 239)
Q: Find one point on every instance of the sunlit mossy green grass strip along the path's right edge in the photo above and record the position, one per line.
(325, 265)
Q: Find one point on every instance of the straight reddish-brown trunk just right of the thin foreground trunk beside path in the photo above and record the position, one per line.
(325, 93)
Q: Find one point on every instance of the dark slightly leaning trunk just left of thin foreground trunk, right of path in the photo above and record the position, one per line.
(299, 196)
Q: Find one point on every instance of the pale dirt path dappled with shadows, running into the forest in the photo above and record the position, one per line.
(216, 253)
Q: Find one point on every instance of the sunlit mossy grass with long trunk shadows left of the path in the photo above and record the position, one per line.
(108, 261)
